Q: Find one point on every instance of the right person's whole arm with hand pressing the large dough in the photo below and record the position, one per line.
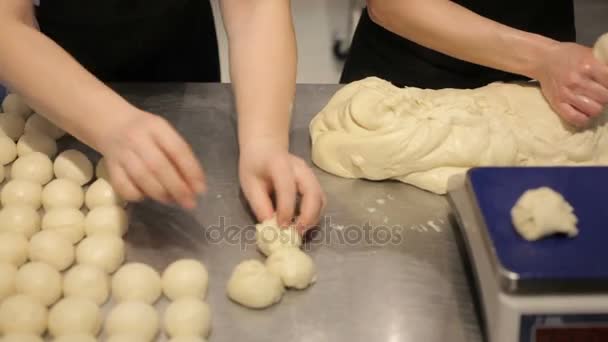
(574, 82)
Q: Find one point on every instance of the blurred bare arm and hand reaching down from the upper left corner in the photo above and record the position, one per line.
(133, 141)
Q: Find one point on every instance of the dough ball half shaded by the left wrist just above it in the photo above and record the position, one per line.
(73, 165)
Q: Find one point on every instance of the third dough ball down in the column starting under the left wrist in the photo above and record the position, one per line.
(67, 221)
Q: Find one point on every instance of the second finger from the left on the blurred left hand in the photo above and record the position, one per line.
(143, 178)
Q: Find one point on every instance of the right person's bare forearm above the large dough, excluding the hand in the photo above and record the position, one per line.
(447, 27)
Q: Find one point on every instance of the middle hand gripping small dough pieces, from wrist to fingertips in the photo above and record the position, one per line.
(265, 168)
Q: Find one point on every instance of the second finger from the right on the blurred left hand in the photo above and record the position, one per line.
(169, 177)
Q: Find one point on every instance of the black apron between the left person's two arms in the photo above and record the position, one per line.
(136, 40)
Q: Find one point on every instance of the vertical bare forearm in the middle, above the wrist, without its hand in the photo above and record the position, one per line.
(263, 69)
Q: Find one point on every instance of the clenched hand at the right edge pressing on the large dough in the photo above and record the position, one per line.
(574, 83)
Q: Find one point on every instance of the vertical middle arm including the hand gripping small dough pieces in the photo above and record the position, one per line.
(263, 69)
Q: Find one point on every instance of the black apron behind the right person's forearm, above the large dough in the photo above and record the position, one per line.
(376, 51)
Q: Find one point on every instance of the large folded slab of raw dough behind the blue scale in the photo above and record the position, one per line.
(374, 130)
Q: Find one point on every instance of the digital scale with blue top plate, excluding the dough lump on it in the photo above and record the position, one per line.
(551, 290)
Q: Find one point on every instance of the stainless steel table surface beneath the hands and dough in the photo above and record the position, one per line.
(389, 268)
